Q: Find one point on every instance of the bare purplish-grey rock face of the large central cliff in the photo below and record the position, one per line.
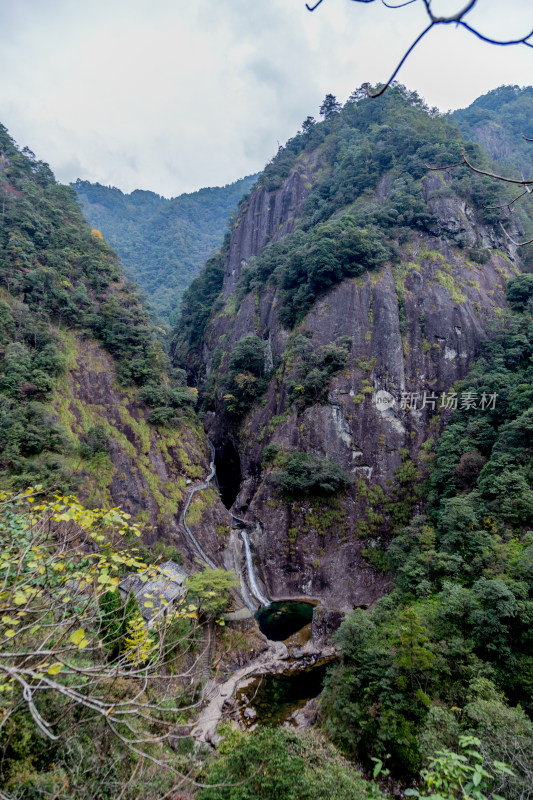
(415, 328)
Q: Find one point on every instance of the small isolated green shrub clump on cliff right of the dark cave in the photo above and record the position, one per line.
(308, 476)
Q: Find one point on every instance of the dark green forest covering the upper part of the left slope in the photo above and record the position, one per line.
(54, 272)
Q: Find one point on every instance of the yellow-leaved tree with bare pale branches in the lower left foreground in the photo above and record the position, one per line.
(70, 675)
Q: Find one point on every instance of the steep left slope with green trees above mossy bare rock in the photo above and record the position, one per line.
(86, 401)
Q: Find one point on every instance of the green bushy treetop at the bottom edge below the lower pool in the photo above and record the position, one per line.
(270, 764)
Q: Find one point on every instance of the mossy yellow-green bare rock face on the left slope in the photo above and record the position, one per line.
(148, 472)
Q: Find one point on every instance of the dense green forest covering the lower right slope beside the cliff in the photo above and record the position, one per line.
(449, 650)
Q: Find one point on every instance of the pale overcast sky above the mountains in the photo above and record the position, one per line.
(173, 95)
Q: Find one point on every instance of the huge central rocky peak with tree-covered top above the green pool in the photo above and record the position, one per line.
(355, 285)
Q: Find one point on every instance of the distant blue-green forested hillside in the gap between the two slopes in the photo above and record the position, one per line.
(162, 243)
